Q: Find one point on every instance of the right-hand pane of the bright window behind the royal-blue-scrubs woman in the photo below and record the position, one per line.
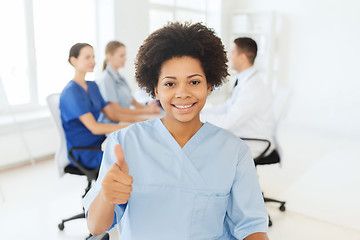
(57, 26)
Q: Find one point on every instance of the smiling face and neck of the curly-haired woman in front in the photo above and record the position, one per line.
(182, 89)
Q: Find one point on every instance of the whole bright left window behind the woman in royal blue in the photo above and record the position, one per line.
(35, 42)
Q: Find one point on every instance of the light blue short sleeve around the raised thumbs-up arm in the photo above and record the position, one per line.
(107, 161)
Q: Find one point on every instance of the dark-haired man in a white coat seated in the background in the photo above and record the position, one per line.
(248, 113)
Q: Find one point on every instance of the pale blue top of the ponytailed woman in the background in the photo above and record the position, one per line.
(114, 88)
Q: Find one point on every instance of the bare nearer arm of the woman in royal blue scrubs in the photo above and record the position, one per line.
(97, 128)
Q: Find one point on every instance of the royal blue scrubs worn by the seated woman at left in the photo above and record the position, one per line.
(74, 102)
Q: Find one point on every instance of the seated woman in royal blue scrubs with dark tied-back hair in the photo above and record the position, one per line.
(80, 106)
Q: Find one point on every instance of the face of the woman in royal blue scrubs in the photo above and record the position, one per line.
(85, 62)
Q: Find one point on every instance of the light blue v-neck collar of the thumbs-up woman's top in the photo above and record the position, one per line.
(191, 142)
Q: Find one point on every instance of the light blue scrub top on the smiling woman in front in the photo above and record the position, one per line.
(206, 190)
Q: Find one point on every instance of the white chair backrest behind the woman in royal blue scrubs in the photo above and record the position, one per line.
(61, 155)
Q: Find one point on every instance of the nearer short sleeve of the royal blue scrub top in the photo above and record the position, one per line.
(73, 104)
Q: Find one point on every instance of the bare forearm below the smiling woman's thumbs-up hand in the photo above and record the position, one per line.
(100, 215)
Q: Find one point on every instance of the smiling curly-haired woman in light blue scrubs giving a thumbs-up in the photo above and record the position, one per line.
(176, 177)
